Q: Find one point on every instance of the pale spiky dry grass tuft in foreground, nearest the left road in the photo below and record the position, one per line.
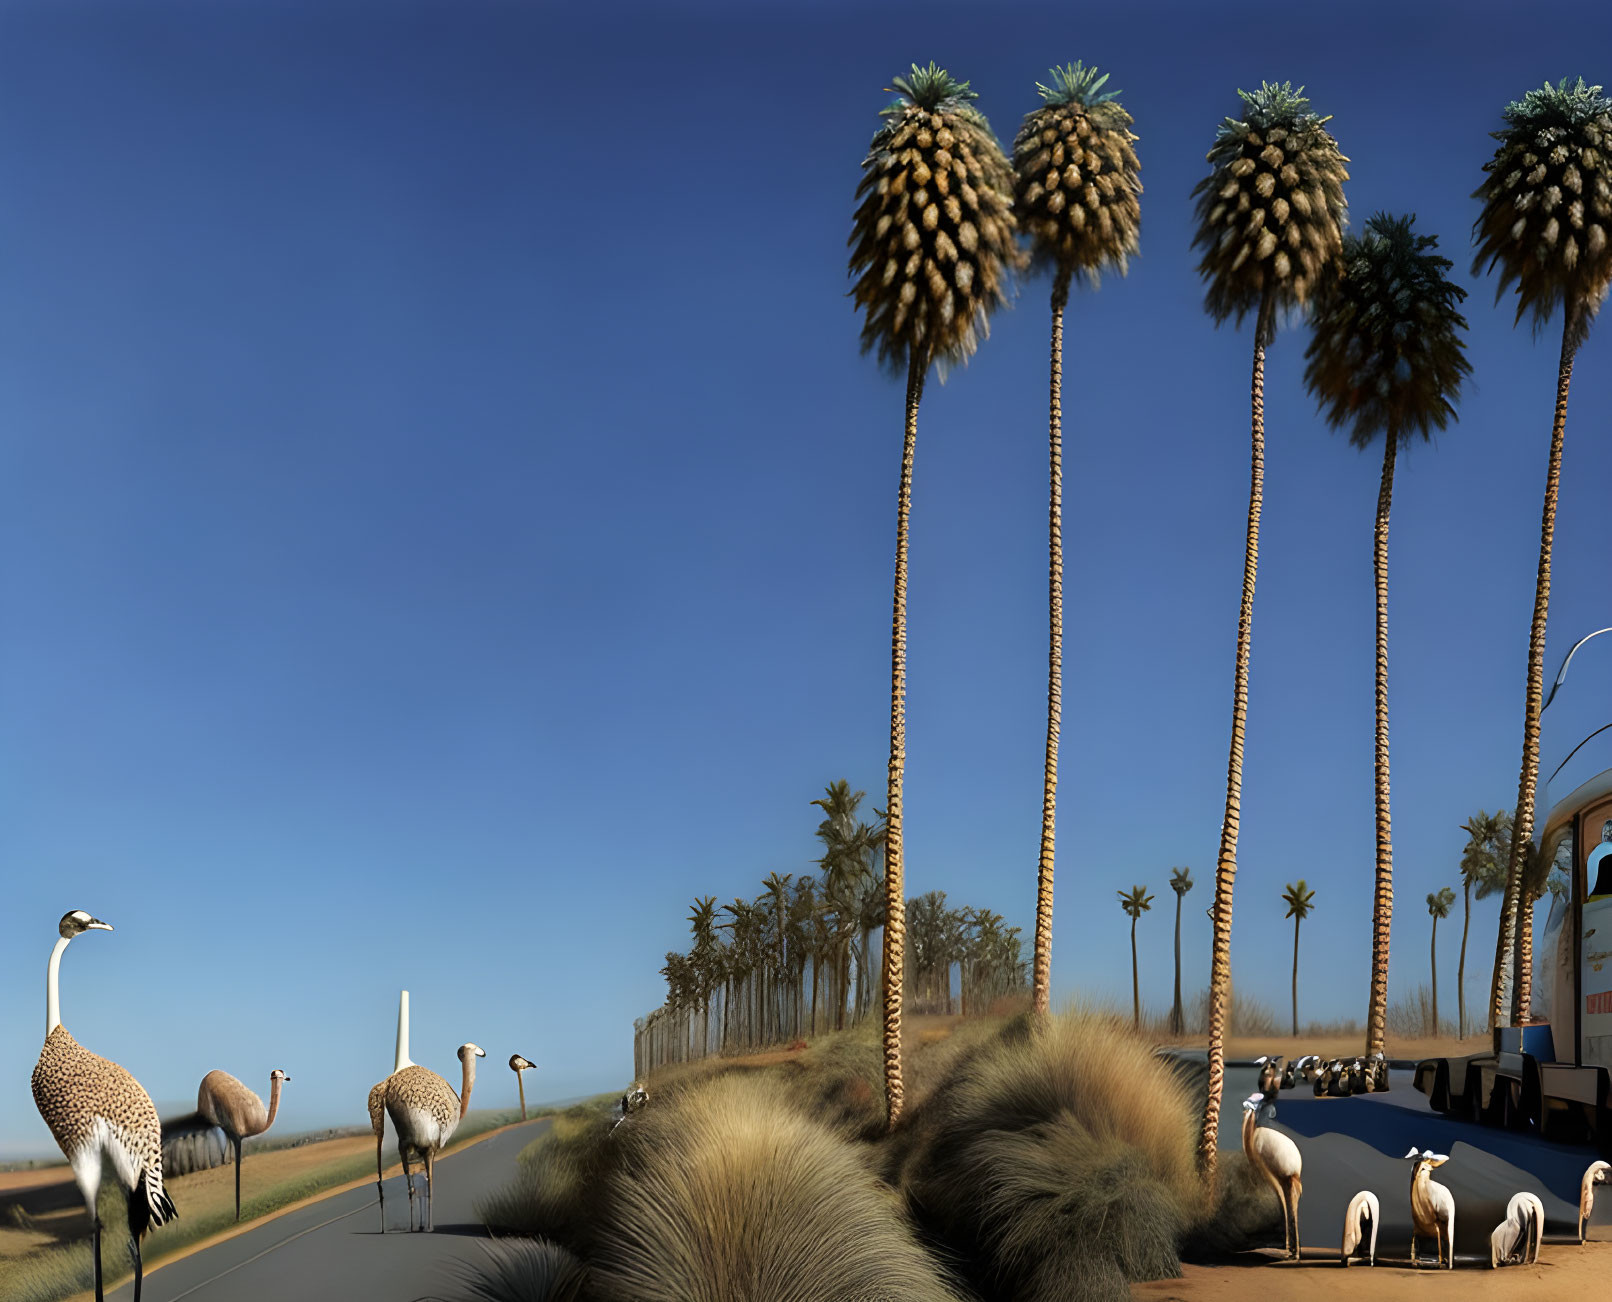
(725, 1193)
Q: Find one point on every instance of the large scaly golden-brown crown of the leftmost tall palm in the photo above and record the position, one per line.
(933, 239)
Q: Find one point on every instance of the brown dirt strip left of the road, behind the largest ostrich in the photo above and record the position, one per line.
(43, 1206)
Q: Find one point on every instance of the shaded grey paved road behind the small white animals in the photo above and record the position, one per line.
(1360, 1143)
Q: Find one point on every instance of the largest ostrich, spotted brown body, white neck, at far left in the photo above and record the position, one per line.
(96, 1111)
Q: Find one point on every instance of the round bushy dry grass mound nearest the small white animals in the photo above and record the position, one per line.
(1058, 1163)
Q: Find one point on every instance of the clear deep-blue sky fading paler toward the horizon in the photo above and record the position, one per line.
(447, 523)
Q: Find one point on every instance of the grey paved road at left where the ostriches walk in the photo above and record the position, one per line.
(334, 1250)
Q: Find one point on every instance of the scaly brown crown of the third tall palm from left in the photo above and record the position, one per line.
(1271, 210)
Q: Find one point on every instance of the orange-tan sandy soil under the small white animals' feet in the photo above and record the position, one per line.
(1564, 1271)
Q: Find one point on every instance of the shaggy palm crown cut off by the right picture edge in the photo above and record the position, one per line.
(1547, 218)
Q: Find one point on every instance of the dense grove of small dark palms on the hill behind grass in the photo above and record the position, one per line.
(797, 961)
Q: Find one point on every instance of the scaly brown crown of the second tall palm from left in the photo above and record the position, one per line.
(1078, 176)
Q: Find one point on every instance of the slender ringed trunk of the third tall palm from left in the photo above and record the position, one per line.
(1226, 865)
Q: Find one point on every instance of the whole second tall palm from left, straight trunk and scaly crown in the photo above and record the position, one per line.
(1076, 185)
